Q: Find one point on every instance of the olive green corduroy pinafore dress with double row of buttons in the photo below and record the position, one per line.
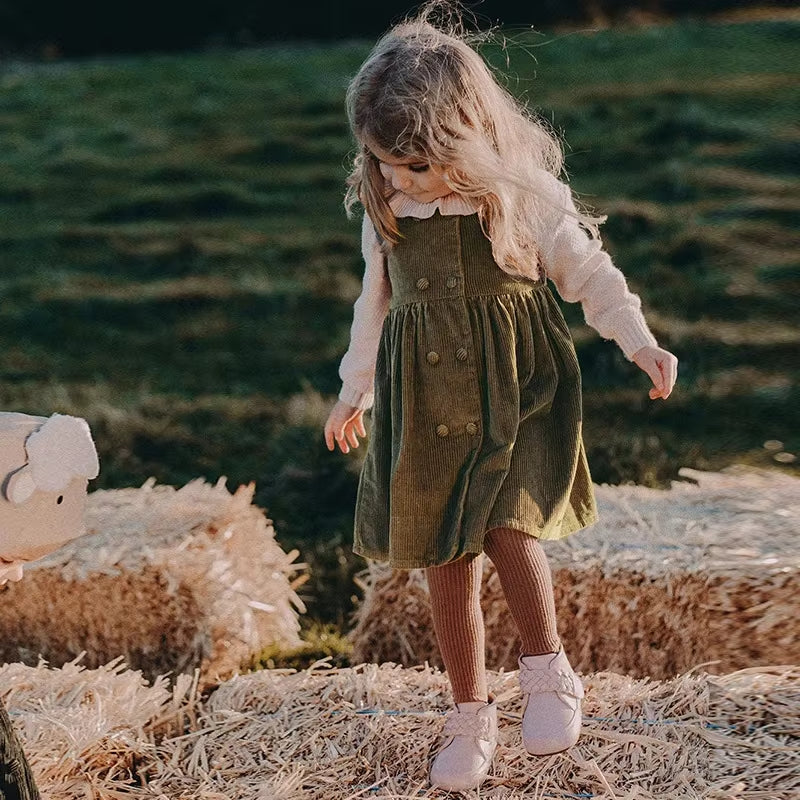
(476, 421)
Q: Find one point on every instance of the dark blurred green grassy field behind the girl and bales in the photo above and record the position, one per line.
(177, 268)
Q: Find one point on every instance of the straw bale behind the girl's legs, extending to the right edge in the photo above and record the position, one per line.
(666, 580)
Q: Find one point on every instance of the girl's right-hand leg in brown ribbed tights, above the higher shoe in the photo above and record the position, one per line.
(524, 574)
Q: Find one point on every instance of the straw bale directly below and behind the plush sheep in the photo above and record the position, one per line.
(169, 579)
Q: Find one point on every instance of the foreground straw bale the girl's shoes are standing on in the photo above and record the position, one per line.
(368, 731)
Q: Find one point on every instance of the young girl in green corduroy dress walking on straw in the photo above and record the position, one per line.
(461, 350)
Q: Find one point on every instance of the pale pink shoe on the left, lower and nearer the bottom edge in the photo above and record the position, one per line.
(464, 759)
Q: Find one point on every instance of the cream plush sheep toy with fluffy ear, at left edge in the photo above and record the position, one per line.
(45, 467)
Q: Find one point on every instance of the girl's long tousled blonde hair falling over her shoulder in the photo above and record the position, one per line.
(424, 92)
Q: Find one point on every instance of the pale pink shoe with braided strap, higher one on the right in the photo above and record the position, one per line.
(551, 721)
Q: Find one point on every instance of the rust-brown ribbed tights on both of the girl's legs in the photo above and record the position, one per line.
(524, 574)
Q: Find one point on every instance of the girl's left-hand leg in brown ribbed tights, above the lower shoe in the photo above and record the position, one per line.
(458, 623)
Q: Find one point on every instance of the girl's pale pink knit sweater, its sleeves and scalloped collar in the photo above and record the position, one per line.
(578, 266)
